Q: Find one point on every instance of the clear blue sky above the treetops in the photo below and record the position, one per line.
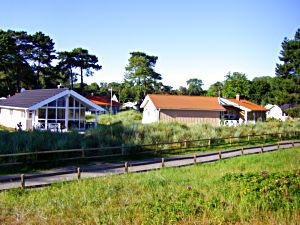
(192, 38)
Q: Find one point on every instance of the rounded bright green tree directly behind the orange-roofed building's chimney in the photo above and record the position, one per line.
(236, 83)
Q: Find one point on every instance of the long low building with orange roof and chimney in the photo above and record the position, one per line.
(200, 109)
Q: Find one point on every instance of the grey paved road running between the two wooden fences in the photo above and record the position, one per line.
(96, 170)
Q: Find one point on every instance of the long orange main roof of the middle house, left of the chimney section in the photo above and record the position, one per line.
(184, 102)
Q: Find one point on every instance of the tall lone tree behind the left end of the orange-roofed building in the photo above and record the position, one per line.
(140, 73)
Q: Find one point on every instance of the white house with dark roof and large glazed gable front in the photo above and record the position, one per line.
(47, 109)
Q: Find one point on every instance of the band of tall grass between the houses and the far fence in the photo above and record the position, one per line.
(126, 128)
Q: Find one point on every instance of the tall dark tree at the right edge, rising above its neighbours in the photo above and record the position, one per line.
(290, 56)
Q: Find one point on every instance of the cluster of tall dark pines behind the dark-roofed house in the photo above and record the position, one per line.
(27, 61)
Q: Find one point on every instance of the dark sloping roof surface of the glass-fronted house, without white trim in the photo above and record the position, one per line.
(29, 98)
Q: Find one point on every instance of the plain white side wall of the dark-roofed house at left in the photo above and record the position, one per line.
(11, 120)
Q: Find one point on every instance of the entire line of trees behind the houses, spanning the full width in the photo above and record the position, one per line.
(30, 61)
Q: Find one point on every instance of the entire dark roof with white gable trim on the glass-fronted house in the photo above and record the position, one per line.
(34, 99)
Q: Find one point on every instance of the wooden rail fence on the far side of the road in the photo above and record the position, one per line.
(124, 150)
